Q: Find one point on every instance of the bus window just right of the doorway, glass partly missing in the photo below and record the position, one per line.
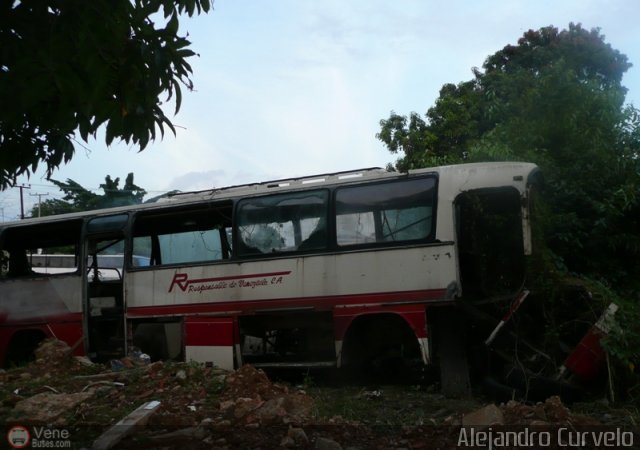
(182, 236)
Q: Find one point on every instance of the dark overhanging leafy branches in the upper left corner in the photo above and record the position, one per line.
(67, 68)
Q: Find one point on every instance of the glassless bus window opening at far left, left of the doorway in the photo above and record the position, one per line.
(41, 250)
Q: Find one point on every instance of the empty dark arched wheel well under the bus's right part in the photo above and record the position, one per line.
(374, 338)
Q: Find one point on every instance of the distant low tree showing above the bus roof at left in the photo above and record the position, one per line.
(78, 198)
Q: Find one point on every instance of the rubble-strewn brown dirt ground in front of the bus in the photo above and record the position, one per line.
(183, 406)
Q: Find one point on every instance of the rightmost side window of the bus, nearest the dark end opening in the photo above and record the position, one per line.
(398, 211)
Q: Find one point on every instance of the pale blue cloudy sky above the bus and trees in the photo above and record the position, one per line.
(290, 88)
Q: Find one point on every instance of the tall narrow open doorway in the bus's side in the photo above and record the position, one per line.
(104, 302)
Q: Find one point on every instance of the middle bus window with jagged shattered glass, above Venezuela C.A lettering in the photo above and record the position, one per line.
(283, 223)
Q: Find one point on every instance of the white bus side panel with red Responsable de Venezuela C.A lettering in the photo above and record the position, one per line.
(321, 281)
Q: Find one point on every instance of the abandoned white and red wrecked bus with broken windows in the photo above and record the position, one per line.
(340, 269)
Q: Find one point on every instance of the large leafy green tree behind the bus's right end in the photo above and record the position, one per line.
(555, 99)
